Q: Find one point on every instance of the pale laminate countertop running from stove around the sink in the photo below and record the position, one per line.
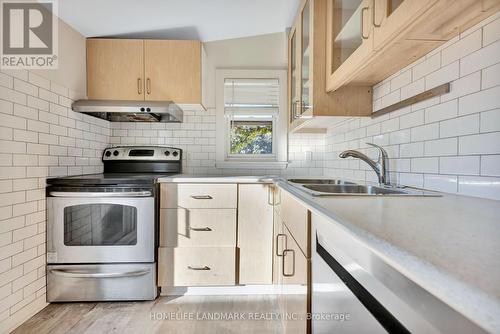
(448, 245)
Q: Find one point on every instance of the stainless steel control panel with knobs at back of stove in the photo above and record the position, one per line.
(149, 153)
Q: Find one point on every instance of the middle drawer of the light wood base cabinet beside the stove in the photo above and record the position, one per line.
(197, 227)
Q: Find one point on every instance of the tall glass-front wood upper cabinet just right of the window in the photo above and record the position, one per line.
(309, 102)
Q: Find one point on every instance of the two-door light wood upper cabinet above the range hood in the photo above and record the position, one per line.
(151, 70)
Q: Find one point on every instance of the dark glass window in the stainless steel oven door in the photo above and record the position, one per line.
(100, 225)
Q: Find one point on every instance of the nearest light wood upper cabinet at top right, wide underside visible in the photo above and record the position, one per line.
(398, 33)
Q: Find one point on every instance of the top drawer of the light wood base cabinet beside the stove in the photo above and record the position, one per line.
(202, 196)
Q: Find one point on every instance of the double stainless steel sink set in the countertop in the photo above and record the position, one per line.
(335, 187)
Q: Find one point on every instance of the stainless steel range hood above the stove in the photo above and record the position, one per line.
(131, 111)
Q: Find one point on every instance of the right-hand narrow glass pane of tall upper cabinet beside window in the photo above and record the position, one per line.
(305, 59)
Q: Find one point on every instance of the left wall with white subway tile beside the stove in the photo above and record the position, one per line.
(39, 136)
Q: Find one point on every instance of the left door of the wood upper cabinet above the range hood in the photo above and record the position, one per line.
(115, 69)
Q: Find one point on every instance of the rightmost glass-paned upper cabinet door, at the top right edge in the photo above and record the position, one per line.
(390, 17)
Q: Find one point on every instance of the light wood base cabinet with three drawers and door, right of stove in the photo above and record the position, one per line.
(215, 234)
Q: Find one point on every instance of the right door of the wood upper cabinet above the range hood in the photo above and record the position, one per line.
(173, 71)
